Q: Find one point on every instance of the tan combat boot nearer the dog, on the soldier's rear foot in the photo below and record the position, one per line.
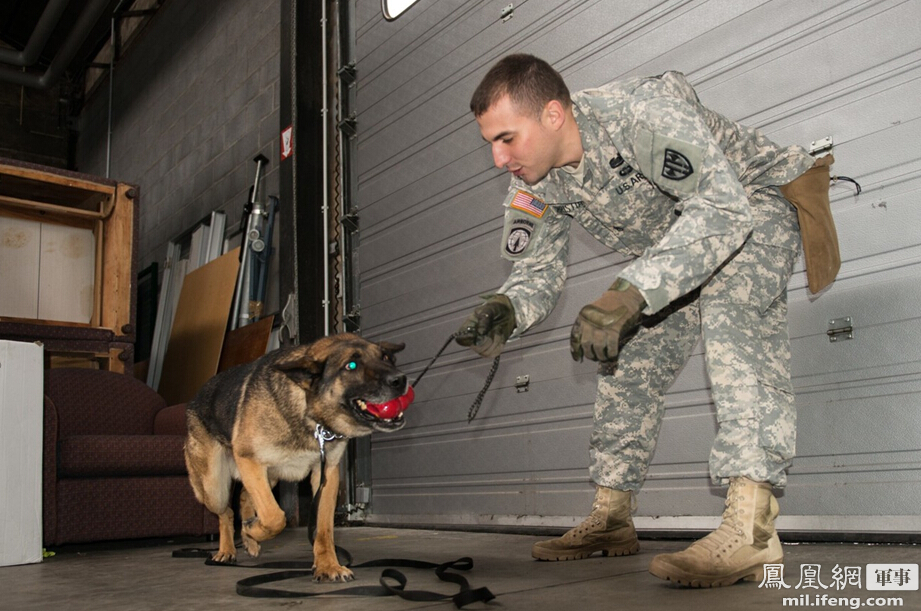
(609, 529)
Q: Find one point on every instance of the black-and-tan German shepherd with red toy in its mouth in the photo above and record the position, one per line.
(258, 423)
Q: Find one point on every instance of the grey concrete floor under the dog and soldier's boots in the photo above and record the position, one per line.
(146, 576)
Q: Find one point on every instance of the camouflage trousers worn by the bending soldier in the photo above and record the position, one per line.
(741, 314)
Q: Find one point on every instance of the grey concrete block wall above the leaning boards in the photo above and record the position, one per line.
(196, 97)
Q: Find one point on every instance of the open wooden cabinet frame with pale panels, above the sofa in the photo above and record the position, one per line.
(68, 263)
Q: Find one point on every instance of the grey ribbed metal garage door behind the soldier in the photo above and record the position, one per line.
(430, 206)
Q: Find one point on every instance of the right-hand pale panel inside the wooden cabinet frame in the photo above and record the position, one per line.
(67, 272)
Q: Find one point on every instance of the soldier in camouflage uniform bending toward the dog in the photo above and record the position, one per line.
(650, 172)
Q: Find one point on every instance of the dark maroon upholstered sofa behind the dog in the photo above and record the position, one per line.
(113, 463)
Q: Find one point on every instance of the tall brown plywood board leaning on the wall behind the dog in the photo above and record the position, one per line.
(197, 336)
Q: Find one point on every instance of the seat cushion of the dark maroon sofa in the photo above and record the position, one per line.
(121, 455)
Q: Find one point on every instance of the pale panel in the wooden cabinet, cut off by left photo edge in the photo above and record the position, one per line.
(19, 256)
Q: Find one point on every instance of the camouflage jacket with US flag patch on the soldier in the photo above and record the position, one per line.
(663, 179)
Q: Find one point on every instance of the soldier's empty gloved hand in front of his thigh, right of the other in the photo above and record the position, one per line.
(601, 325)
